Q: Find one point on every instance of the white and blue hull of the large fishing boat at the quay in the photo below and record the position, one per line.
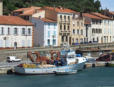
(50, 70)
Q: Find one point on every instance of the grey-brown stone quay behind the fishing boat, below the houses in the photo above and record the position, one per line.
(5, 67)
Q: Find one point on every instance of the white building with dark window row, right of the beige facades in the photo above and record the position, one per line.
(93, 28)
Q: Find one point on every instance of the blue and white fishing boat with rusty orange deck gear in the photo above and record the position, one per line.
(66, 60)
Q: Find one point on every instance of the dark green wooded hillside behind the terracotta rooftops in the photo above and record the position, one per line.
(77, 5)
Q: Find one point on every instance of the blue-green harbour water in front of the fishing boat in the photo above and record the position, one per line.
(93, 77)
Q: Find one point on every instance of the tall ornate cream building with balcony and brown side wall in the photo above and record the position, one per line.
(63, 17)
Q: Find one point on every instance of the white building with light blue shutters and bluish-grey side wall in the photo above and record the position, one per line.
(46, 32)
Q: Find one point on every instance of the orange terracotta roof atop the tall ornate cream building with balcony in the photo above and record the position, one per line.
(60, 9)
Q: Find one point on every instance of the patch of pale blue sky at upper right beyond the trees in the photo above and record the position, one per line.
(107, 4)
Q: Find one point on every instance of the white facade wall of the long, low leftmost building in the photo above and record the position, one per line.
(8, 40)
